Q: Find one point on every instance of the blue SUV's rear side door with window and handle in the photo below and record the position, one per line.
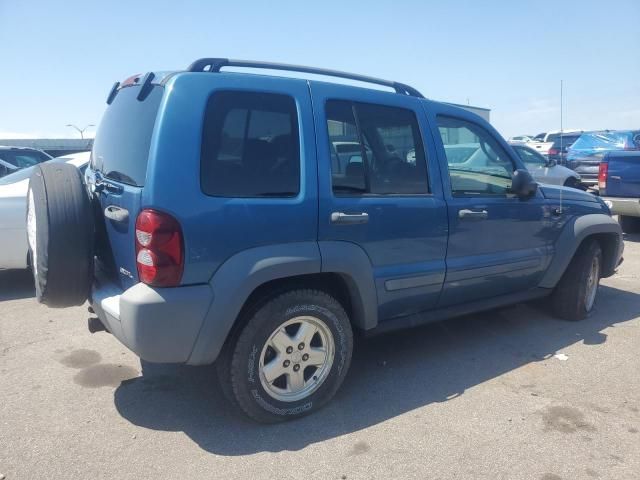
(386, 196)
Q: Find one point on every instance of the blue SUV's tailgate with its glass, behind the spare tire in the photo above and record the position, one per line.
(118, 171)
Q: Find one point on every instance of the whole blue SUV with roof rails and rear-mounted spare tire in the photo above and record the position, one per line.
(257, 221)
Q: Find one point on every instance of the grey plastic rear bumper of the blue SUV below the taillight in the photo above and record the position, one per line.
(158, 324)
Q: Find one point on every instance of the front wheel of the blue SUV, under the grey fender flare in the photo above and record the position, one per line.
(574, 296)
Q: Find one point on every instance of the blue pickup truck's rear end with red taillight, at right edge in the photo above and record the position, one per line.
(619, 185)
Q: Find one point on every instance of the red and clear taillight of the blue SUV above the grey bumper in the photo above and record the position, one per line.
(159, 249)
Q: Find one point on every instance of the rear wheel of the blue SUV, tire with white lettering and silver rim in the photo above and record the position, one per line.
(290, 358)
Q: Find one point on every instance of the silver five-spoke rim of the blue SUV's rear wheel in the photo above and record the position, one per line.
(296, 358)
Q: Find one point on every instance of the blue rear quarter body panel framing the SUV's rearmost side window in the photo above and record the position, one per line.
(216, 228)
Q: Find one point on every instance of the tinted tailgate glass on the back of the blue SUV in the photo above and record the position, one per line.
(121, 147)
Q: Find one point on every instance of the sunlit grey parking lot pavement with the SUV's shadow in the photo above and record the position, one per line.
(508, 394)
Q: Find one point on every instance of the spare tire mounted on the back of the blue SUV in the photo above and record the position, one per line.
(60, 234)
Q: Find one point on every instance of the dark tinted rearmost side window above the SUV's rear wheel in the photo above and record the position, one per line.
(250, 146)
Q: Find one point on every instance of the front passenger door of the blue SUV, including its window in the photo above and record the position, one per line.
(498, 243)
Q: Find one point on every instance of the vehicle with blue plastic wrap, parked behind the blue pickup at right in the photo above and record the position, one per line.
(585, 155)
